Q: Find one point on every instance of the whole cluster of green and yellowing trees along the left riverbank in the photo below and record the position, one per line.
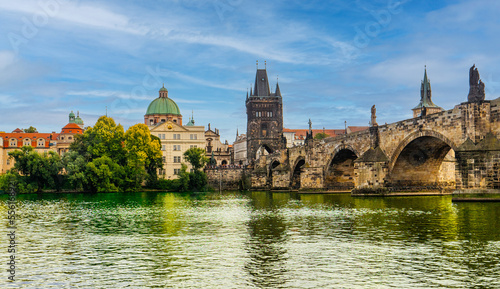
(102, 159)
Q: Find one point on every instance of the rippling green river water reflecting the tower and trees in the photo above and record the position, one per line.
(251, 240)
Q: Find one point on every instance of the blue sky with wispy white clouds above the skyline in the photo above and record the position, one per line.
(334, 59)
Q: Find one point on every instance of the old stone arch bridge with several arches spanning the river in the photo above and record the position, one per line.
(456, 149)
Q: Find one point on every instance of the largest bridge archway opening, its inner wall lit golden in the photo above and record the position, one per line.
(425, 163)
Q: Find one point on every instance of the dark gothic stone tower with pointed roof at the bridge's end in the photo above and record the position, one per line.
(264, 118)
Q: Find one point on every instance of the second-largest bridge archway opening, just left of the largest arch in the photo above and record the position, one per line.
(340, 171)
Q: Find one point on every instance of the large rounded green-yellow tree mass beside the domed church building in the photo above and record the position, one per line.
(107, 158)
